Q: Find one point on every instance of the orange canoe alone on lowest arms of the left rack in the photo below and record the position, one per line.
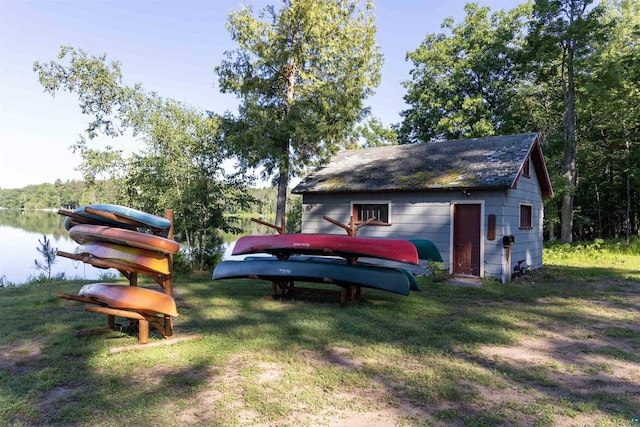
(130, 298)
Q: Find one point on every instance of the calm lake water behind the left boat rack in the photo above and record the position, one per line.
(19, 235)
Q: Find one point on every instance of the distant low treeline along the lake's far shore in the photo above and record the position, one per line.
(71, 194)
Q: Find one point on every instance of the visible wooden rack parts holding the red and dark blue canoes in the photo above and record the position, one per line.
(347, 294)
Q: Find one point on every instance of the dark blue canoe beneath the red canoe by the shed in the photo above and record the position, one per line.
(341, 274)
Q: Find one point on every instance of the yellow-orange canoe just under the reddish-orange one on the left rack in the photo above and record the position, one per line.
(150, 260)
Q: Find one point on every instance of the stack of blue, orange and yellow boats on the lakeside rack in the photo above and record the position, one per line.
(133, 242)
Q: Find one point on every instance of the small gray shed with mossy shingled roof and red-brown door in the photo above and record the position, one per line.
(470, 197)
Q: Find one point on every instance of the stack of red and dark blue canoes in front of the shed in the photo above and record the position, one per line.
(349, 262)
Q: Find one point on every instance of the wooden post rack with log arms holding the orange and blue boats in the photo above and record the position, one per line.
(162, 322)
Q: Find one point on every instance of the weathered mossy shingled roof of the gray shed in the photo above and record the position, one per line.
(478, 163)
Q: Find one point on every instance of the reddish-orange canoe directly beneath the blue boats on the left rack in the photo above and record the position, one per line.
(87, 233)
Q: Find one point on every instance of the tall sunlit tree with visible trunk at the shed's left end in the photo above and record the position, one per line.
(301, 73)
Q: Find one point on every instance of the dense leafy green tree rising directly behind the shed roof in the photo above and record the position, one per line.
(462, 84)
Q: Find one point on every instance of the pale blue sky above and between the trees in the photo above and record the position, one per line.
(168, 46)
